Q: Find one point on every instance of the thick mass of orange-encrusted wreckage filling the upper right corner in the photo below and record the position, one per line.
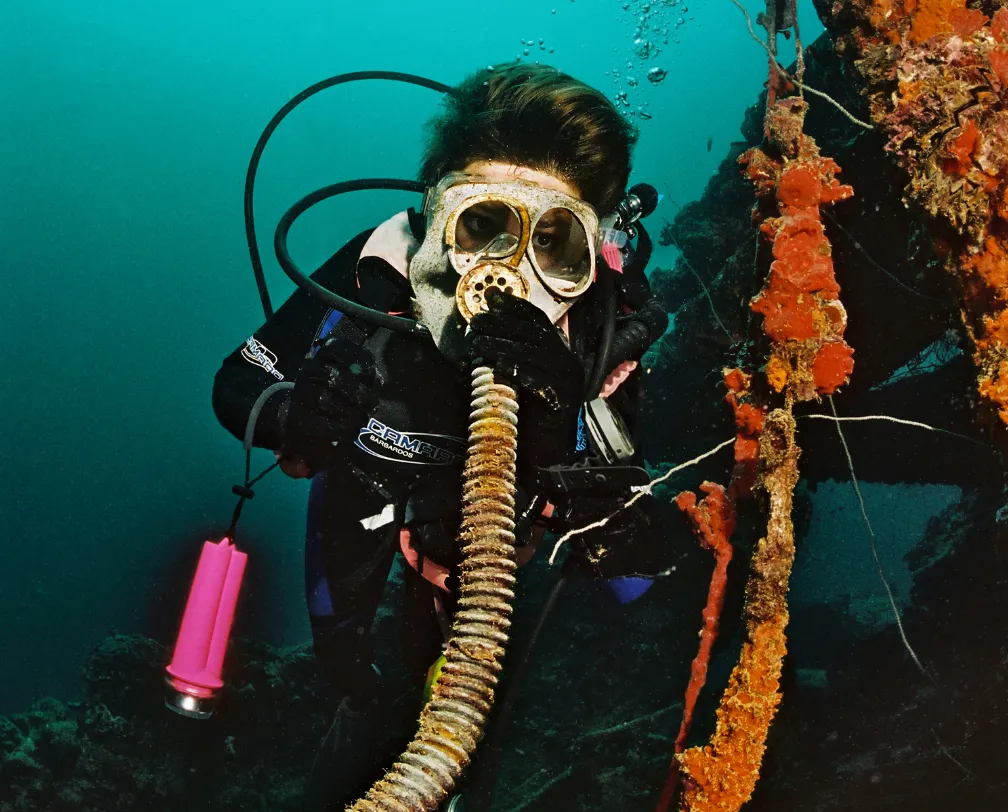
(937, 79)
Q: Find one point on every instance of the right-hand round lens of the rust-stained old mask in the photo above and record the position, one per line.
(561, 251)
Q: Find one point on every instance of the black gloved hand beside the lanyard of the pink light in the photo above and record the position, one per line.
(335, 394)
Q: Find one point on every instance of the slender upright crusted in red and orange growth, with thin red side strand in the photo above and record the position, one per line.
(809, 358)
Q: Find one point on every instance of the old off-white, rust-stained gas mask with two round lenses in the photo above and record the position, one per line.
(529, 241)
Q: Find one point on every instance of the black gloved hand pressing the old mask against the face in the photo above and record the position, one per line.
(527, 350)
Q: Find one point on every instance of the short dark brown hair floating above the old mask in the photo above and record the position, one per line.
(535, 116)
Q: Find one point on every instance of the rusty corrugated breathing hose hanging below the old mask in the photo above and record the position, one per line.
(453, 721)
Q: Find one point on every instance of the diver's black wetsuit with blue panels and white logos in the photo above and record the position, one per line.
(405, 469)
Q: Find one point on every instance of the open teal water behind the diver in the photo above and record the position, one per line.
(128, 132)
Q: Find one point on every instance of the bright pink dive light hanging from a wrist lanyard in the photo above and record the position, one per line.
(194, 678)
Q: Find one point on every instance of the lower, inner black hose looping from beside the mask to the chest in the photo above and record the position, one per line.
(341, 304)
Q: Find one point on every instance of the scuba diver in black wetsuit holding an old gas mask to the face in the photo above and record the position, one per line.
(511, 261)
